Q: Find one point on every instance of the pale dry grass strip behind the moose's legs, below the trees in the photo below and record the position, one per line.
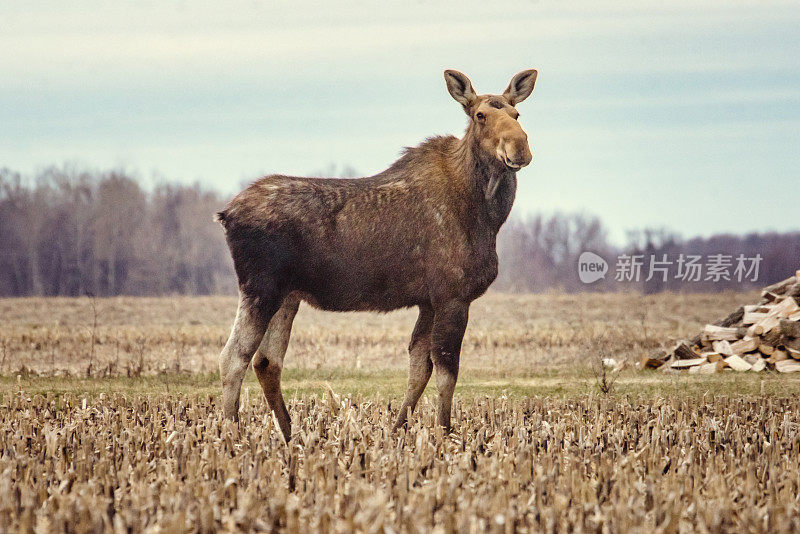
(518, 334)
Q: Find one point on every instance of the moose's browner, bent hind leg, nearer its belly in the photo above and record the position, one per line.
(268, 361)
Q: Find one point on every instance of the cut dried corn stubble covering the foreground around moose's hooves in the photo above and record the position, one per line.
(724, 463)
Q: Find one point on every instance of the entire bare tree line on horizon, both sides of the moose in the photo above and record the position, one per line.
(76, 232)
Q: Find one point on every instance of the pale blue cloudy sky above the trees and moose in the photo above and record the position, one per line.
(682, 115)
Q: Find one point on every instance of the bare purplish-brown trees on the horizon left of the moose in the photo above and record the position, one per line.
(77, 233)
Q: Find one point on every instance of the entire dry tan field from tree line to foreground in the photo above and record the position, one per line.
(109, 419)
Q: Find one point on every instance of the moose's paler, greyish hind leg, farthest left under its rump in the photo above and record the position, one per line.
(246, 334)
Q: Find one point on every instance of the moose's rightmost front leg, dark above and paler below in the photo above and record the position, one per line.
(449, 324)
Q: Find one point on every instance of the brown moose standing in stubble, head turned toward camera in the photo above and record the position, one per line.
(420, 234)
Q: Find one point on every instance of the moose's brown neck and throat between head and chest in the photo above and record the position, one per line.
(479, 172)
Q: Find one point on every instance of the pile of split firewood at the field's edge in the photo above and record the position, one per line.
(763, 336)
